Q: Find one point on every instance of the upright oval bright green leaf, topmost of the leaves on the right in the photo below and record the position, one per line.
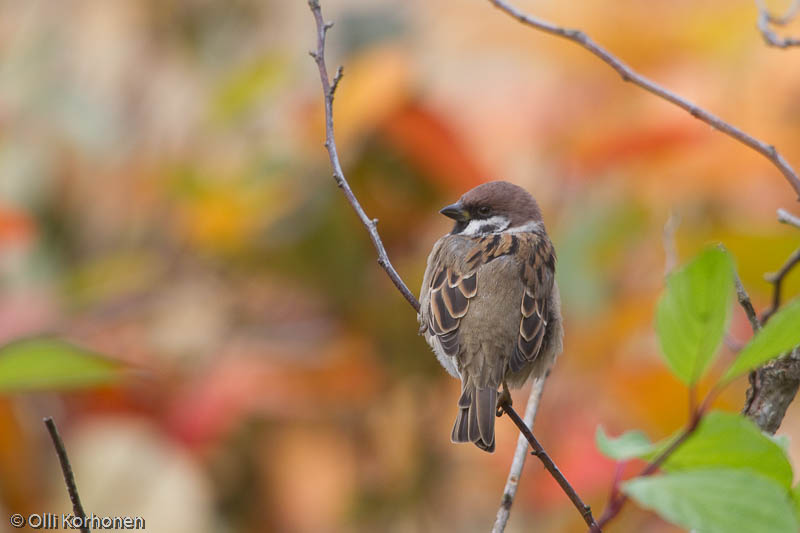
(693, 312)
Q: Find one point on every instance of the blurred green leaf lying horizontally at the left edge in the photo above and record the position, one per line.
(47, 364)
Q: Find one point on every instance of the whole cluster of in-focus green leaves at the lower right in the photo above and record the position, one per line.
(727, 476)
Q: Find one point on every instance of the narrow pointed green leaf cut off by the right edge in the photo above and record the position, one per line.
(779, 335)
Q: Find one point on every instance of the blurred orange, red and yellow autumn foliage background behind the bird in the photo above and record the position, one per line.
(165, 199)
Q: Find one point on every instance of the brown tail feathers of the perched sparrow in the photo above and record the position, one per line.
(476, 413)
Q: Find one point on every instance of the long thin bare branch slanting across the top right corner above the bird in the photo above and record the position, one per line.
(630, 75)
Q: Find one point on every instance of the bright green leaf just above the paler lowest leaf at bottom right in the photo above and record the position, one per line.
(731, 440)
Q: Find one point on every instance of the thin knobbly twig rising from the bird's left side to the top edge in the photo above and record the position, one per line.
(328, 90)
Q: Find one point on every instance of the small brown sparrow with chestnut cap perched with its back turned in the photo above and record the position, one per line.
(489, 303)
